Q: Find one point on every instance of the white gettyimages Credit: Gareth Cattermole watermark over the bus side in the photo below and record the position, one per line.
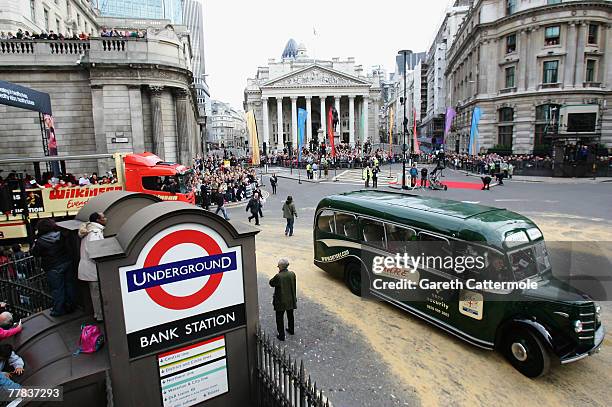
(401, 272)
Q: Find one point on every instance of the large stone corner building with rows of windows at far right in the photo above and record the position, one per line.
(529, 69)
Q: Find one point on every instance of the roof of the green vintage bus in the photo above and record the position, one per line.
(462, 220)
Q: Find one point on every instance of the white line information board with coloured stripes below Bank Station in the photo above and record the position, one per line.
(193, 374)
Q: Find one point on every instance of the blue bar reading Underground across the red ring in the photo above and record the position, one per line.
(180, 270)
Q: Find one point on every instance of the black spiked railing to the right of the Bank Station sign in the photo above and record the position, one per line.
(281, 383)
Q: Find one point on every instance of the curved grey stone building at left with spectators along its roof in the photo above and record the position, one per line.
(102, 103)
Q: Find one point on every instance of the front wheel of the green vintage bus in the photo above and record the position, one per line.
(527, 353)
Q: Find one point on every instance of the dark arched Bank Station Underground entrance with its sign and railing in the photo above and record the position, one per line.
(178, 289)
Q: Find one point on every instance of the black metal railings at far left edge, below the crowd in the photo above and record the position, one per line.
(23, 285)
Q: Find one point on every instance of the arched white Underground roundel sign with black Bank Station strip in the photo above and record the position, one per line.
(187, 283)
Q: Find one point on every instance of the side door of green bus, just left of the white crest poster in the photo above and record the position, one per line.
(435, 252)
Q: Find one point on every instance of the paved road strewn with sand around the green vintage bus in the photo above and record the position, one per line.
(365, 353)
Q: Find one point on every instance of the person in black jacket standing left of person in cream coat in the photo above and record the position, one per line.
(51, 247)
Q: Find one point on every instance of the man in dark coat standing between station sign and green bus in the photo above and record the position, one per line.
(285, 298)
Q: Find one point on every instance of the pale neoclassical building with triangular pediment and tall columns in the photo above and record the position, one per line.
(298, 81)
